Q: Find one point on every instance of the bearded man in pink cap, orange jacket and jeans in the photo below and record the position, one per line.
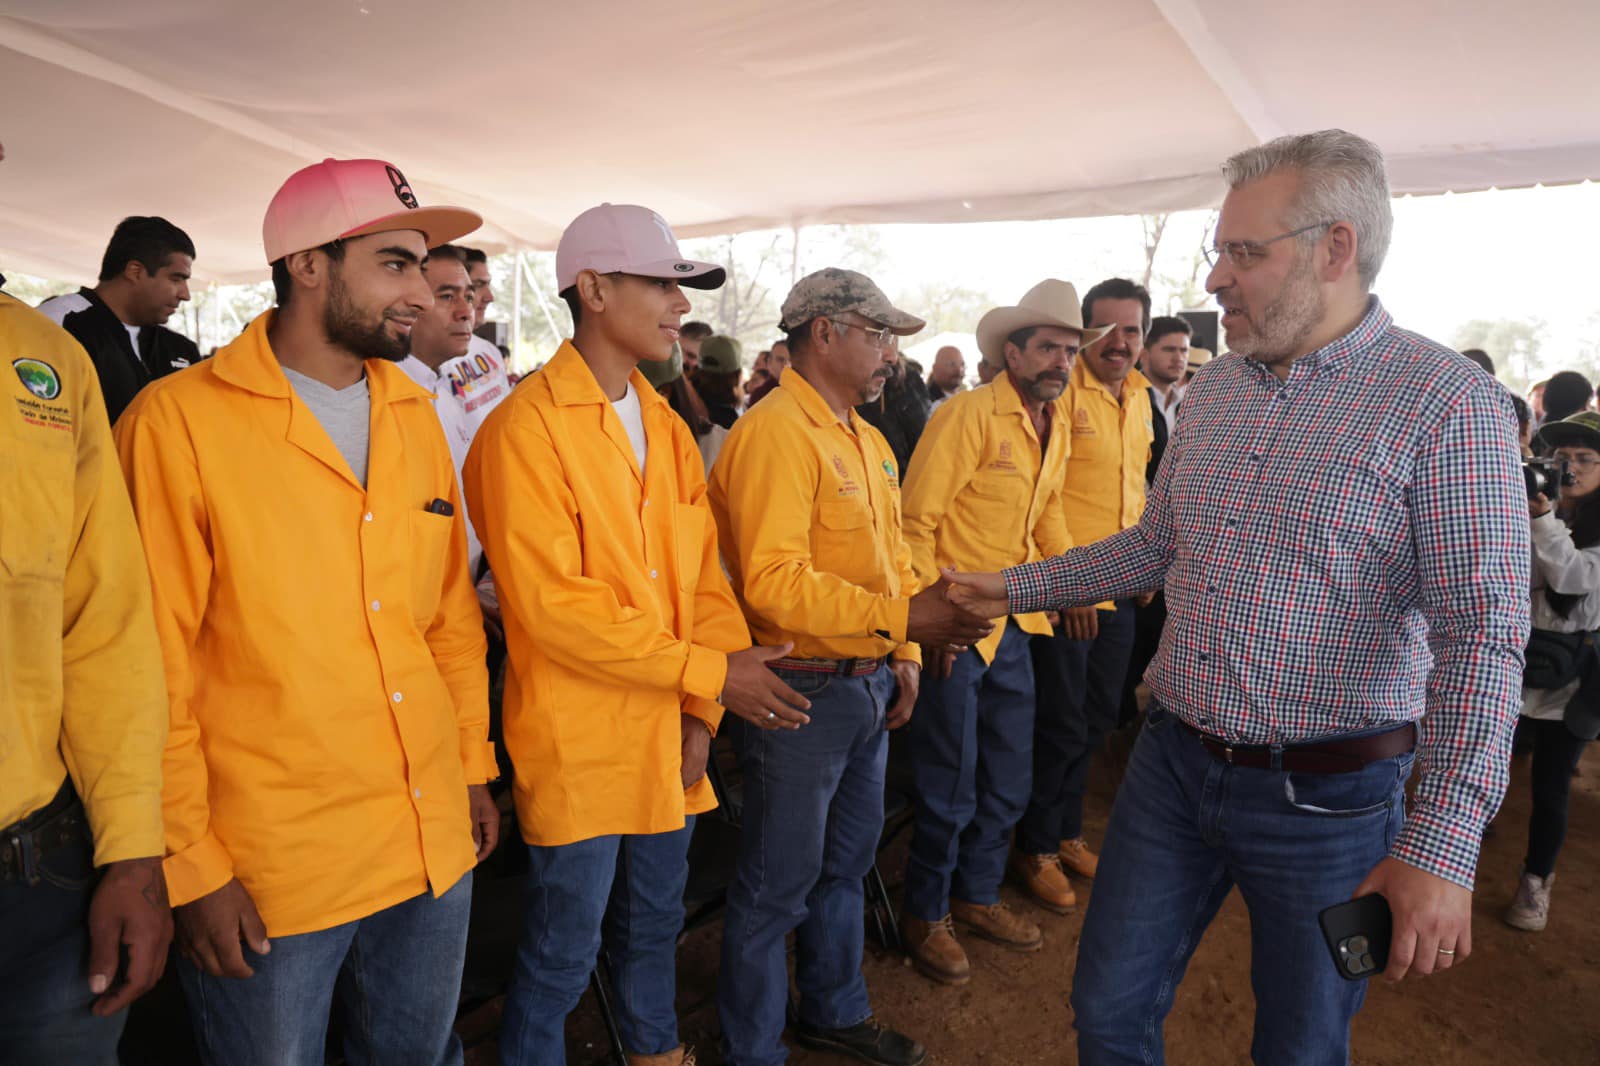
(326, 777)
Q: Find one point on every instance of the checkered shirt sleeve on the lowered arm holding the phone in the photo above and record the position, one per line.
(1470, 518)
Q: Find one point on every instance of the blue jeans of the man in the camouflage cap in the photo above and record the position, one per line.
(814, 814)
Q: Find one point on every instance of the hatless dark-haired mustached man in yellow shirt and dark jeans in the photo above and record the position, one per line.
(1081, 670)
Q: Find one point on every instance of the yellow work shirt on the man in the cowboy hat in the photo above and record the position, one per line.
(983, 495)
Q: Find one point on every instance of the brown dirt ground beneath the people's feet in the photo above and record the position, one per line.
(1522, 998)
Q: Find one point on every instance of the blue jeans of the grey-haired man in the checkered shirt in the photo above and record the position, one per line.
(1186, 830)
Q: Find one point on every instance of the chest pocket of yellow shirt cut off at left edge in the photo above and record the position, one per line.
(38, 487)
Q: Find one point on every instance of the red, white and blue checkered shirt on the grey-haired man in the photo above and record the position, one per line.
(1342, 551)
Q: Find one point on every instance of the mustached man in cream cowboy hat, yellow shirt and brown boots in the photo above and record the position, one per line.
(983, 494)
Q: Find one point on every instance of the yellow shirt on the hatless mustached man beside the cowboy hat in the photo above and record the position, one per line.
(1111, 451)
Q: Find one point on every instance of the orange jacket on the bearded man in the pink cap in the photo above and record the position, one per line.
(324, 644)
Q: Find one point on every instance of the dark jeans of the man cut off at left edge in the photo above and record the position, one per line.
(46, 952)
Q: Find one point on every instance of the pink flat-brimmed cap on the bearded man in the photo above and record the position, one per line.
(350, 198)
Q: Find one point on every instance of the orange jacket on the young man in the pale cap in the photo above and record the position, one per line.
(618, 617)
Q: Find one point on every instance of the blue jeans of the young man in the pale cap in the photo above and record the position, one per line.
(622, 892)
